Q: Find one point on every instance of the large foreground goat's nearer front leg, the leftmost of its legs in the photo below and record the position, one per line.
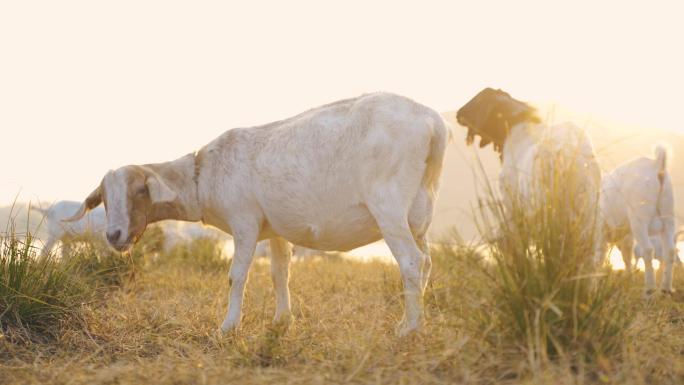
(245, 237)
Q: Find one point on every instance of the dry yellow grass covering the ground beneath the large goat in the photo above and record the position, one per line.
(161, 328)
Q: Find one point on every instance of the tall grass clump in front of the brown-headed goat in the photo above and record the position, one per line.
(549, 298)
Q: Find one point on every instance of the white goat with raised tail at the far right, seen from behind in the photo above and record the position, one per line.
(637, 207)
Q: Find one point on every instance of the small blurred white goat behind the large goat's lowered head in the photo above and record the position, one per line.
(91, 225)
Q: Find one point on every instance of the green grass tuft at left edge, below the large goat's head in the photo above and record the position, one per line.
(38, 292)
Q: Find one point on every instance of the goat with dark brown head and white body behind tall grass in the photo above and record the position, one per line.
(530, 149)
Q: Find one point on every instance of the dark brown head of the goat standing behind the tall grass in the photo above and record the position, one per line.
(491, 114)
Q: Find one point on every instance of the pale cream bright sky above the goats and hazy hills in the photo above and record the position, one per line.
(86, 86)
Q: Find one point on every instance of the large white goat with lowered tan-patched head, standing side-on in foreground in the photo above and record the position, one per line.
(333, 178)
